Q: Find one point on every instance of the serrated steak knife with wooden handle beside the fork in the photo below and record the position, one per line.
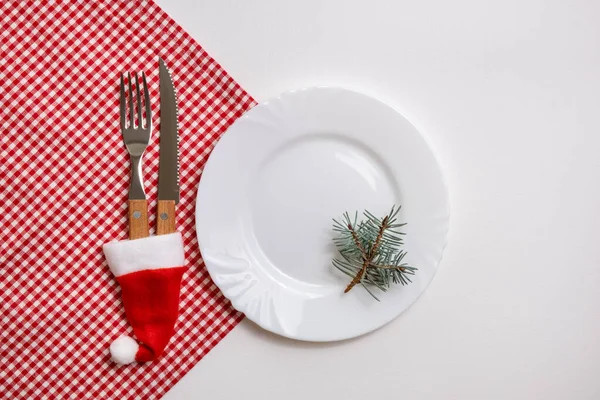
(168, 170)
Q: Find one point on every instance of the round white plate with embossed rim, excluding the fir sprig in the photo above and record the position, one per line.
(274, 182)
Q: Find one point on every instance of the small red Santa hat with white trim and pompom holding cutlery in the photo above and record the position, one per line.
(149, 271)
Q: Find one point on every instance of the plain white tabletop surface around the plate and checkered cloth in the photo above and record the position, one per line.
(508, 93)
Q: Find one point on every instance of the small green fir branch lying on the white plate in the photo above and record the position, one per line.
(370, 251)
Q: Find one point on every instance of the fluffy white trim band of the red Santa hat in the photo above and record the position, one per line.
(153, 252)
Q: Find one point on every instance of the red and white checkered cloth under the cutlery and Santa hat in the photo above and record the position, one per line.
(64, 176)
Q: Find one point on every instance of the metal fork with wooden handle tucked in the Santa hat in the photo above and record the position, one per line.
(136, 135)
